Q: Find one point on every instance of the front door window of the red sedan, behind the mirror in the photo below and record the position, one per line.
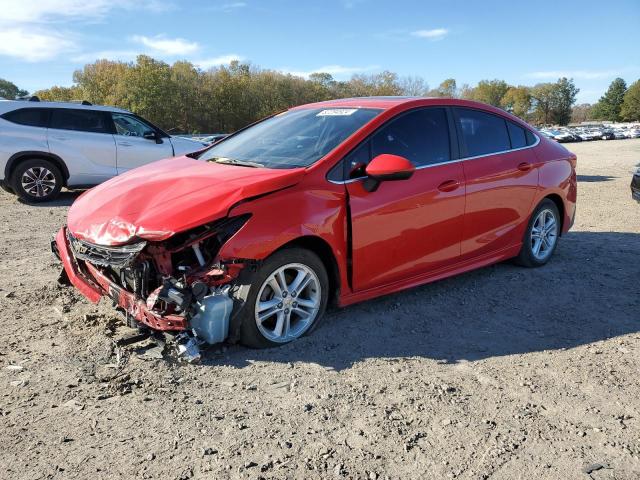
(421, 136)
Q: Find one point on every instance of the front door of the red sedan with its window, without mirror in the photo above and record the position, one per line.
(409, 227)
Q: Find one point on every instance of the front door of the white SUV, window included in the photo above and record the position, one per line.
(133, 149)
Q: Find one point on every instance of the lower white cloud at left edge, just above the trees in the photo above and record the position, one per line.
(33, 45)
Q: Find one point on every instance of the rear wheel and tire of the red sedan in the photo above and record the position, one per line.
(533, 253)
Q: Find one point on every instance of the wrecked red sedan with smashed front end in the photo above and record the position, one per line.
(333, 202)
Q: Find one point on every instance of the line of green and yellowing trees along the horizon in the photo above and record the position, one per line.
(184, 99)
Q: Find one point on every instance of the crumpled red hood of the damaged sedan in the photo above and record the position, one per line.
(155, 201)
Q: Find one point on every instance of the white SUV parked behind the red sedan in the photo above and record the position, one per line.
(45, 146)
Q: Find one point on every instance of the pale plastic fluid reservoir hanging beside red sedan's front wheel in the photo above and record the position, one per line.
(211, 323)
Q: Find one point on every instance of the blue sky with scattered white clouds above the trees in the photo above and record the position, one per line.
(44, 41)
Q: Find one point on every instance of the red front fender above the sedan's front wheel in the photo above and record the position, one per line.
(317, 210)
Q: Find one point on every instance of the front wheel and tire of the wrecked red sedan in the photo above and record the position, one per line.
(256, 293)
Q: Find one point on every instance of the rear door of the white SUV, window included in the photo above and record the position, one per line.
(83, 139)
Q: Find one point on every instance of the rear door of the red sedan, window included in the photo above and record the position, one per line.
(501, 173)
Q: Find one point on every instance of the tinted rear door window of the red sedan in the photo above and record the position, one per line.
(483, 133)
